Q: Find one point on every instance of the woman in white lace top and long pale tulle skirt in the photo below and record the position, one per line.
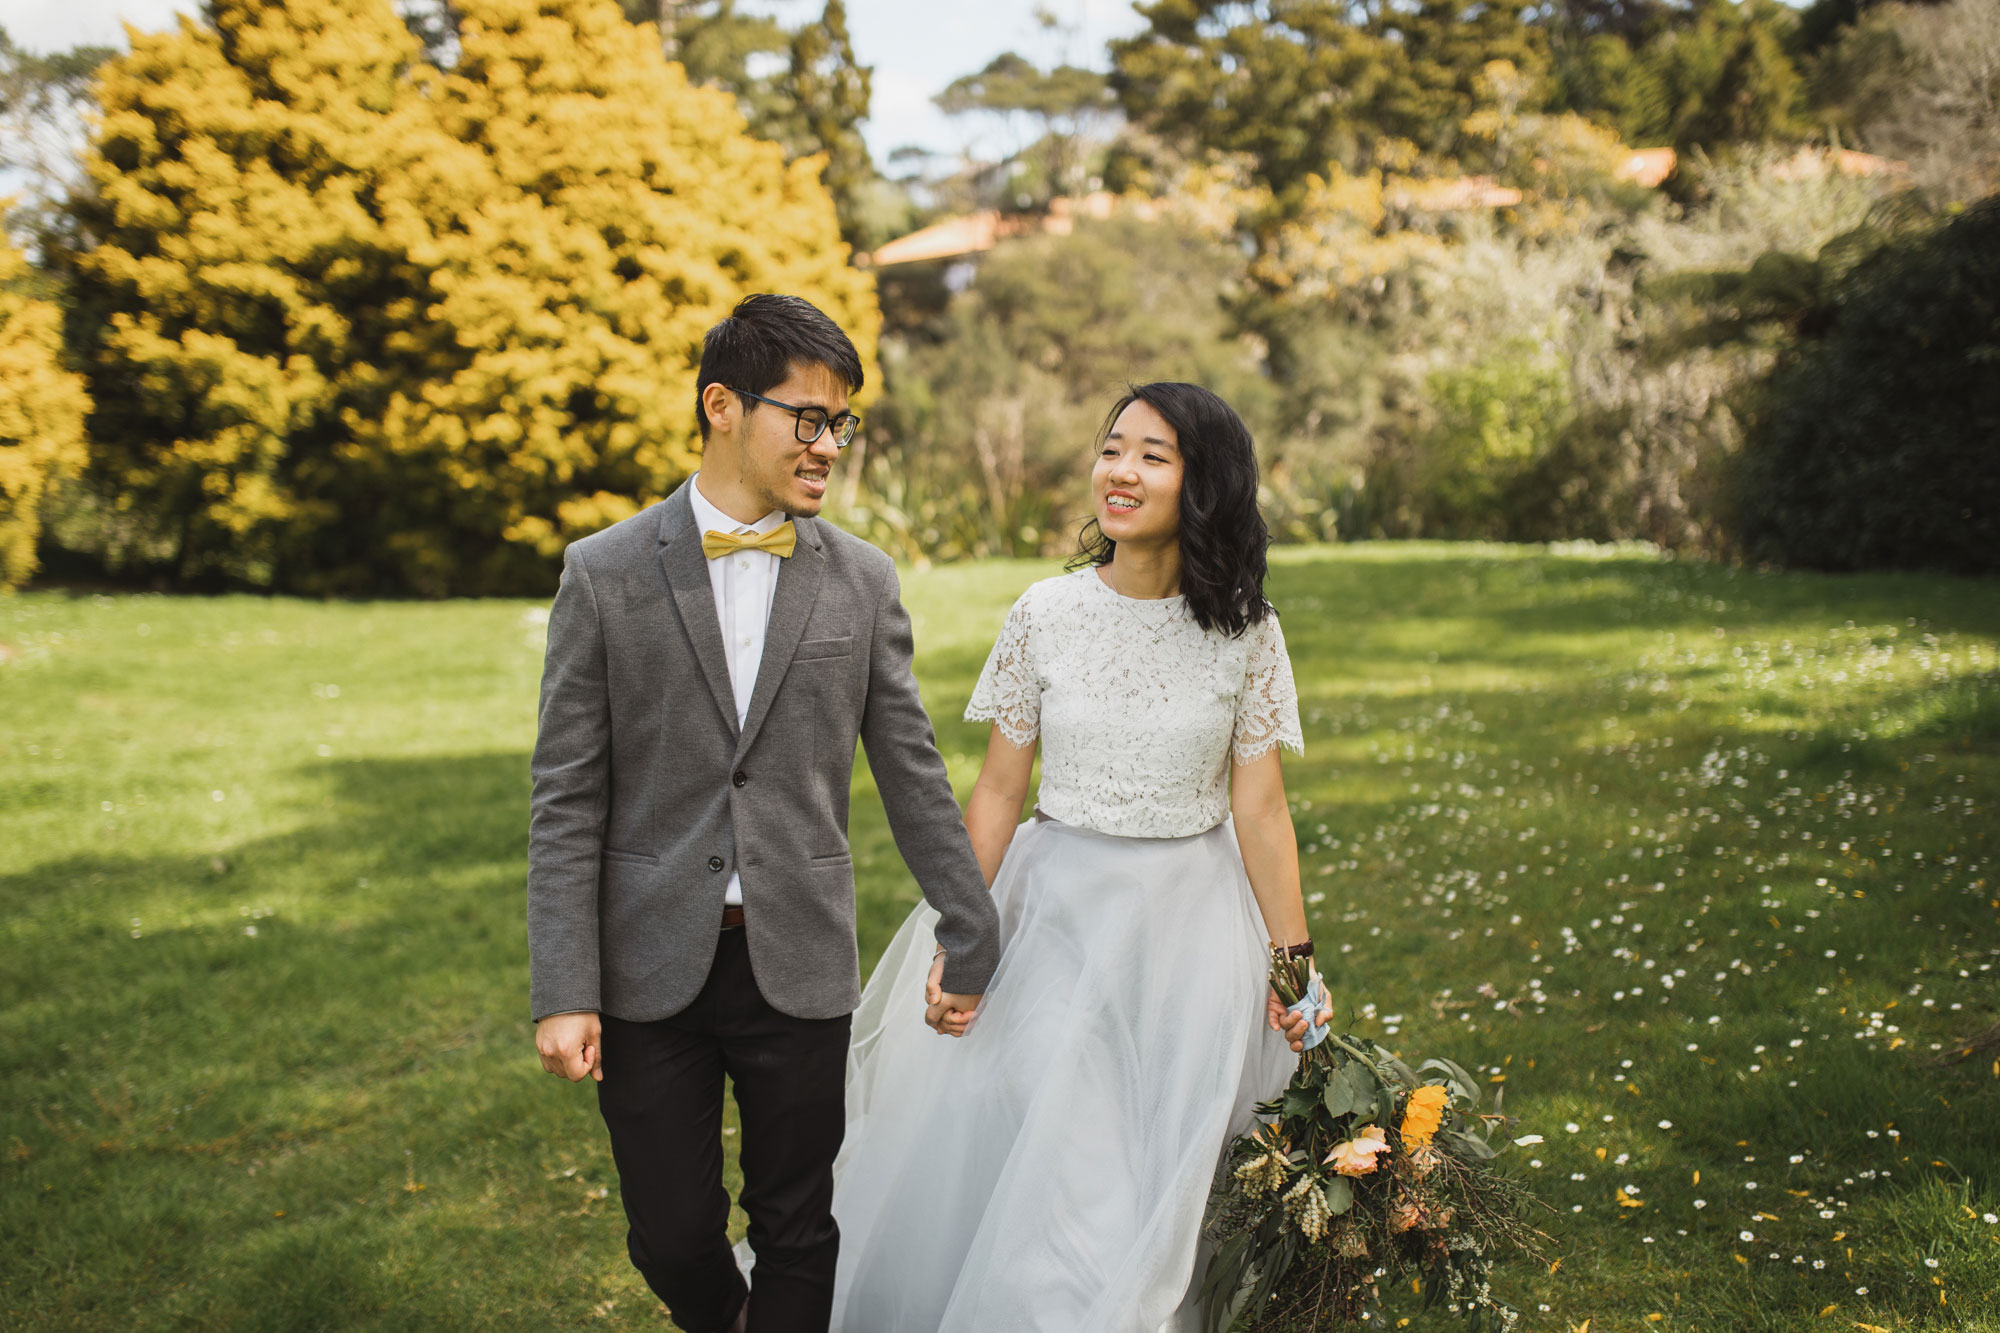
(1049, 1172)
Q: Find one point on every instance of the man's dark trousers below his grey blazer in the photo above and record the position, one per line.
(663, 1104)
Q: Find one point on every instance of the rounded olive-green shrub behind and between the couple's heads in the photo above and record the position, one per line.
(983, 443)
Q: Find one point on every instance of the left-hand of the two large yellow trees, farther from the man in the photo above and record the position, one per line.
(241, 281)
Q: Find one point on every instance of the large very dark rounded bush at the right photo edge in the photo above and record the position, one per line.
(1881, 441)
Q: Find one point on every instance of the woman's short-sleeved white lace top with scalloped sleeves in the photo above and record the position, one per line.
(1139, 708)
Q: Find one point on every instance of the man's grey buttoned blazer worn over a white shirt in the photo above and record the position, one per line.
(647, 798)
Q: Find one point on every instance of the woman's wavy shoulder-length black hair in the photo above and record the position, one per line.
(1223, 535)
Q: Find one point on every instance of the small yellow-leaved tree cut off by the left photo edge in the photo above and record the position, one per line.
(41, 415)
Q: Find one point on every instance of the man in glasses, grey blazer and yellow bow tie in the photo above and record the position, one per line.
(691, 896)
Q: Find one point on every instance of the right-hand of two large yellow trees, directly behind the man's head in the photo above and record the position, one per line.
(583, 217)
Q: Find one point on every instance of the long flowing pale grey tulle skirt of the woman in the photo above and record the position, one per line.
(1047, 1174)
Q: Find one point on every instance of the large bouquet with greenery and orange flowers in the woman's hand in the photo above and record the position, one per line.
(1361, 1174)
